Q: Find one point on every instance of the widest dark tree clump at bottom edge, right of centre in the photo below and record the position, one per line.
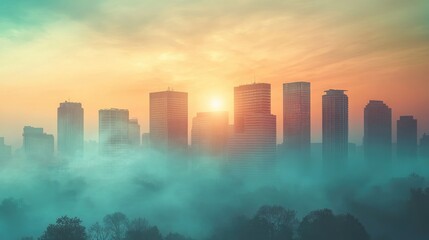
(324, 225)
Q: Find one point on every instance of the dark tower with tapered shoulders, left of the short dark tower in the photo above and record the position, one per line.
(377, 139)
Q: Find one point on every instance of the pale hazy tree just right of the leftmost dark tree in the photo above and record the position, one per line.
(116, 225)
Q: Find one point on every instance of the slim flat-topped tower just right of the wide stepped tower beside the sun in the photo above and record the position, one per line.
(296, 117)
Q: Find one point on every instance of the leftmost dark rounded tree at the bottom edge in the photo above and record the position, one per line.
(65, 228)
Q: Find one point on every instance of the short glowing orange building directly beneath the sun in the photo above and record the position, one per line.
(210, 133)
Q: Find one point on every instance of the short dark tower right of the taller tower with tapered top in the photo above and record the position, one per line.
(407, 137)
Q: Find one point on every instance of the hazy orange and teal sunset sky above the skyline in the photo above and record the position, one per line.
(112, 53)
